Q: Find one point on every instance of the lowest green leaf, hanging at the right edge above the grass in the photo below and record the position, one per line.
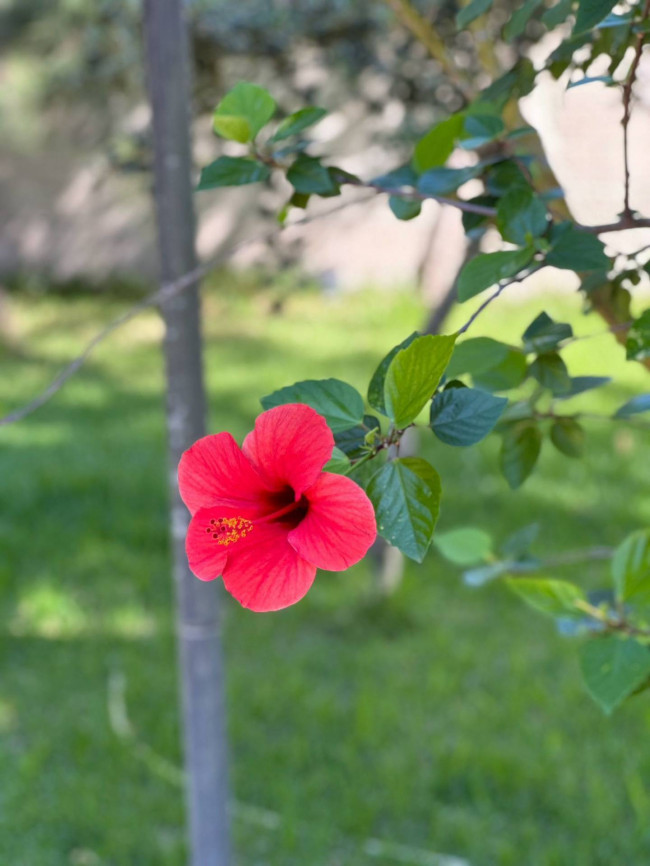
(613, 668)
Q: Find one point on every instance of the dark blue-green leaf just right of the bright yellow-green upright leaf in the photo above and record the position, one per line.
(464, 416)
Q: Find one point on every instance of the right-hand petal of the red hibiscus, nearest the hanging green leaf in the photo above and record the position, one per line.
(339, 526)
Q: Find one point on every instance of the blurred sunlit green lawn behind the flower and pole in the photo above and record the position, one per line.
(441, 718)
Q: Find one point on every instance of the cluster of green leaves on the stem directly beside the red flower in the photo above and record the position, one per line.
(405, 491)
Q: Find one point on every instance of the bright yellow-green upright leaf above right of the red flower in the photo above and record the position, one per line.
(413, 376)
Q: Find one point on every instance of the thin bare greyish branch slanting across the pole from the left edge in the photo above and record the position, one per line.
(164, 293)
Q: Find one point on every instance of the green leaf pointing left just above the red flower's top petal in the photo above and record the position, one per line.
(339, 403)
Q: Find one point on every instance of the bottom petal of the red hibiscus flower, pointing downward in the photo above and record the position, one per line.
(264, 572)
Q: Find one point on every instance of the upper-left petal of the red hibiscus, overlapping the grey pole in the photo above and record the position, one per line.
(214, 471)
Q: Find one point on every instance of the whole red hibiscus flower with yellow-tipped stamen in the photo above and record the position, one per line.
(265, 516)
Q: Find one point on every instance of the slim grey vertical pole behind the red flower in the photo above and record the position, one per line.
(201, 669)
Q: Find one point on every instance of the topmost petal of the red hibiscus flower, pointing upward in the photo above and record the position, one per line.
(289, 446)
